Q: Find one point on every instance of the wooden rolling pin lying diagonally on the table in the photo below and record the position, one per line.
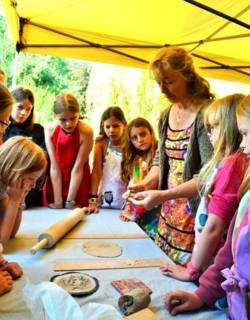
(58, 230)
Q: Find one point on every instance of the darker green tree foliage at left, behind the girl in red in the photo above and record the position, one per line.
(46, 76)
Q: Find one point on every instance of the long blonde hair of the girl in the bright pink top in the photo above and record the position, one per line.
(221, 114)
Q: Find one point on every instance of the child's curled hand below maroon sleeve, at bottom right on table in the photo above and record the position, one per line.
(180, 301)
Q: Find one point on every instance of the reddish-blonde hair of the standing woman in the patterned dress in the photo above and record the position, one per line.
(177, 59)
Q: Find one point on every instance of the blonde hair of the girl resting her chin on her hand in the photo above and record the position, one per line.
(19, 155)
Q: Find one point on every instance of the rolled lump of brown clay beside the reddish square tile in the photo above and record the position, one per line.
(134, 301)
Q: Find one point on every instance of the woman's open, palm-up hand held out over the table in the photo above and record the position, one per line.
(147, 199)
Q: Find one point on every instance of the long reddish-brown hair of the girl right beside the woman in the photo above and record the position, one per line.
(130, 151)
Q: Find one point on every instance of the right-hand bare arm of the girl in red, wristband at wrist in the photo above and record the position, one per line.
(86, 144)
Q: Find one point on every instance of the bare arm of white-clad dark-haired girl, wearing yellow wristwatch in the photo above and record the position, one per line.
(96, 176)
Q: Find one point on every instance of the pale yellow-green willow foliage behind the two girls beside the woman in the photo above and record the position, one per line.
(129, 88)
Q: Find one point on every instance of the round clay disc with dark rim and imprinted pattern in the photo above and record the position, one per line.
(76, 283)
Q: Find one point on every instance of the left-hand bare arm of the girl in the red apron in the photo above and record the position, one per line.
(55, 171)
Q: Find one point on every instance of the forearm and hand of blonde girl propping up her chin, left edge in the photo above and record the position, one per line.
(11, 209)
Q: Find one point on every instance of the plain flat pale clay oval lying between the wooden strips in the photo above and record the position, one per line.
(102, 249)
